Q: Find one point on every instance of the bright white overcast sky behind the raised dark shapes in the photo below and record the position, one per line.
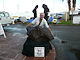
(25, 7)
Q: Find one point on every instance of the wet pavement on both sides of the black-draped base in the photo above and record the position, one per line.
(67, 42)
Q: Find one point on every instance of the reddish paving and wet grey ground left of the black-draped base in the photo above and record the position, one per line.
(11, 47)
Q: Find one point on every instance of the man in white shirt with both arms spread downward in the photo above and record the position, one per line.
(38, 20)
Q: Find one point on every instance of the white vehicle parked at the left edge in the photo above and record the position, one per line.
(5, 18)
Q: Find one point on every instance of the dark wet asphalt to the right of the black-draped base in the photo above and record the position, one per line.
(67, 42)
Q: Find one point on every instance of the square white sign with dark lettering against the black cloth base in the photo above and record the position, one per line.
(39, 52)
